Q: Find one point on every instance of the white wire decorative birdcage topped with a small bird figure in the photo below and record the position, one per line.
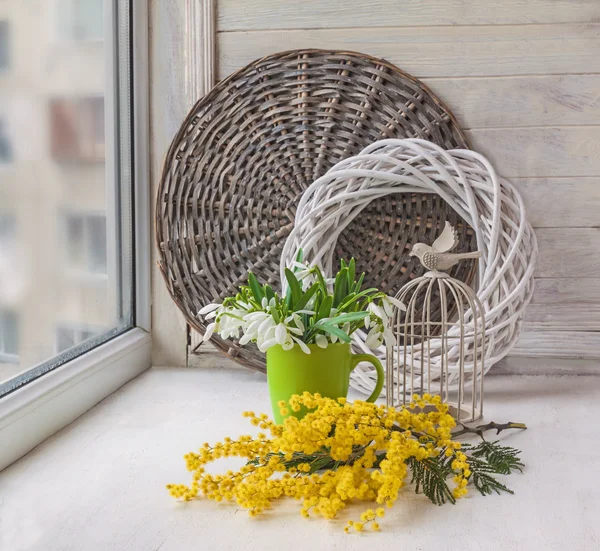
(438, 352)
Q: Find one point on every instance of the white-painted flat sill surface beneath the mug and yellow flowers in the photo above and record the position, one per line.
(99, 483)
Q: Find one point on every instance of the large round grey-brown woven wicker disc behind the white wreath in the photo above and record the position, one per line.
(246, 152)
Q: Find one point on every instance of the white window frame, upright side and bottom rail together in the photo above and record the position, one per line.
(42, 407)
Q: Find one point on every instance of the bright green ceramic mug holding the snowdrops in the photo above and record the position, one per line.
(324, 370)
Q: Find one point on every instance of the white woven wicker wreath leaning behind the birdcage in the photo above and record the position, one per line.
(470, 185)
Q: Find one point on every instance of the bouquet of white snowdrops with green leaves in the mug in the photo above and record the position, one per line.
(312, 310)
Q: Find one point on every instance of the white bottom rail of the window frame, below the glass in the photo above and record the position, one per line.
(33, 413)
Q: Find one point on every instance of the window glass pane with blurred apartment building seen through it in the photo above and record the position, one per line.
(65, 206)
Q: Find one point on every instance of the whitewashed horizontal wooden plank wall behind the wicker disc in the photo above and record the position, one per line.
(523, 78)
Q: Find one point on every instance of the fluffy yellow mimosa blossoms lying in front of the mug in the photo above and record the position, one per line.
(338, 453)
